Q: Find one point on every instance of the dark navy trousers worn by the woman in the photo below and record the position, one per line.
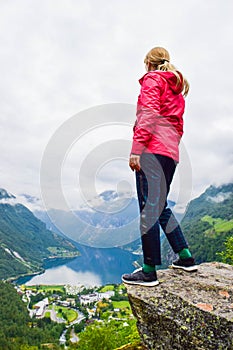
(153, 185)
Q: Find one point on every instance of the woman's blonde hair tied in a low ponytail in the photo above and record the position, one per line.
(159, 58)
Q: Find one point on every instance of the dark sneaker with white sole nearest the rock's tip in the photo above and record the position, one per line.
(141, 278)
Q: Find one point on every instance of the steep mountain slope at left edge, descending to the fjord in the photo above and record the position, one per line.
(25, 241)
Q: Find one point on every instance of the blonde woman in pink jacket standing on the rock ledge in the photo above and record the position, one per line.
(154, 156)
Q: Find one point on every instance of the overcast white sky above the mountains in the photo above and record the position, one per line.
(59, 58)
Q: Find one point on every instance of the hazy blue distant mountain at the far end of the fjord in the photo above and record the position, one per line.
(111, 219)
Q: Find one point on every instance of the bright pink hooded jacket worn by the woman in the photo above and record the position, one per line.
(159, 125)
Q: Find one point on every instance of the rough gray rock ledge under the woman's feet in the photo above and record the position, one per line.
(186, 310)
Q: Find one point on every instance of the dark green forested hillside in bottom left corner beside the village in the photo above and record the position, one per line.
(17, 330)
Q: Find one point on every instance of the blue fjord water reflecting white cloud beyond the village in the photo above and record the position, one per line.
(94, 267)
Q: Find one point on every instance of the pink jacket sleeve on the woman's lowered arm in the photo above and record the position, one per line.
(147, 110)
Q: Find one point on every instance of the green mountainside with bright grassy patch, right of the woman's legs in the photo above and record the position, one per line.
(207, 223)
